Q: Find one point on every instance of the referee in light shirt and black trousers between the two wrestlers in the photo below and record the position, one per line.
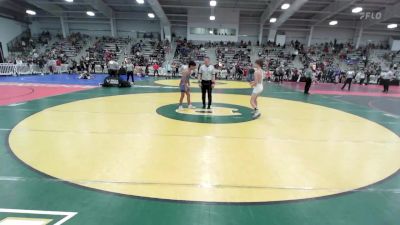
(207, 81)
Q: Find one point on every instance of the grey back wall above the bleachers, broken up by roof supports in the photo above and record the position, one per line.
(246, 32)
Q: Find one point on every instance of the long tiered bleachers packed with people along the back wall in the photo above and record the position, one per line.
(230, 57)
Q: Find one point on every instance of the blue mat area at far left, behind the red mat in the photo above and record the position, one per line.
(71, 79)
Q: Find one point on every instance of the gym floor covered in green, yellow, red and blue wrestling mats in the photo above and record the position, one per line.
(74, 153)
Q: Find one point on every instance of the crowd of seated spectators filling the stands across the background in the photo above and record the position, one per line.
(332, 59)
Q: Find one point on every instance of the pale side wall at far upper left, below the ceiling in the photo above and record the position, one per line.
(9, 29)
